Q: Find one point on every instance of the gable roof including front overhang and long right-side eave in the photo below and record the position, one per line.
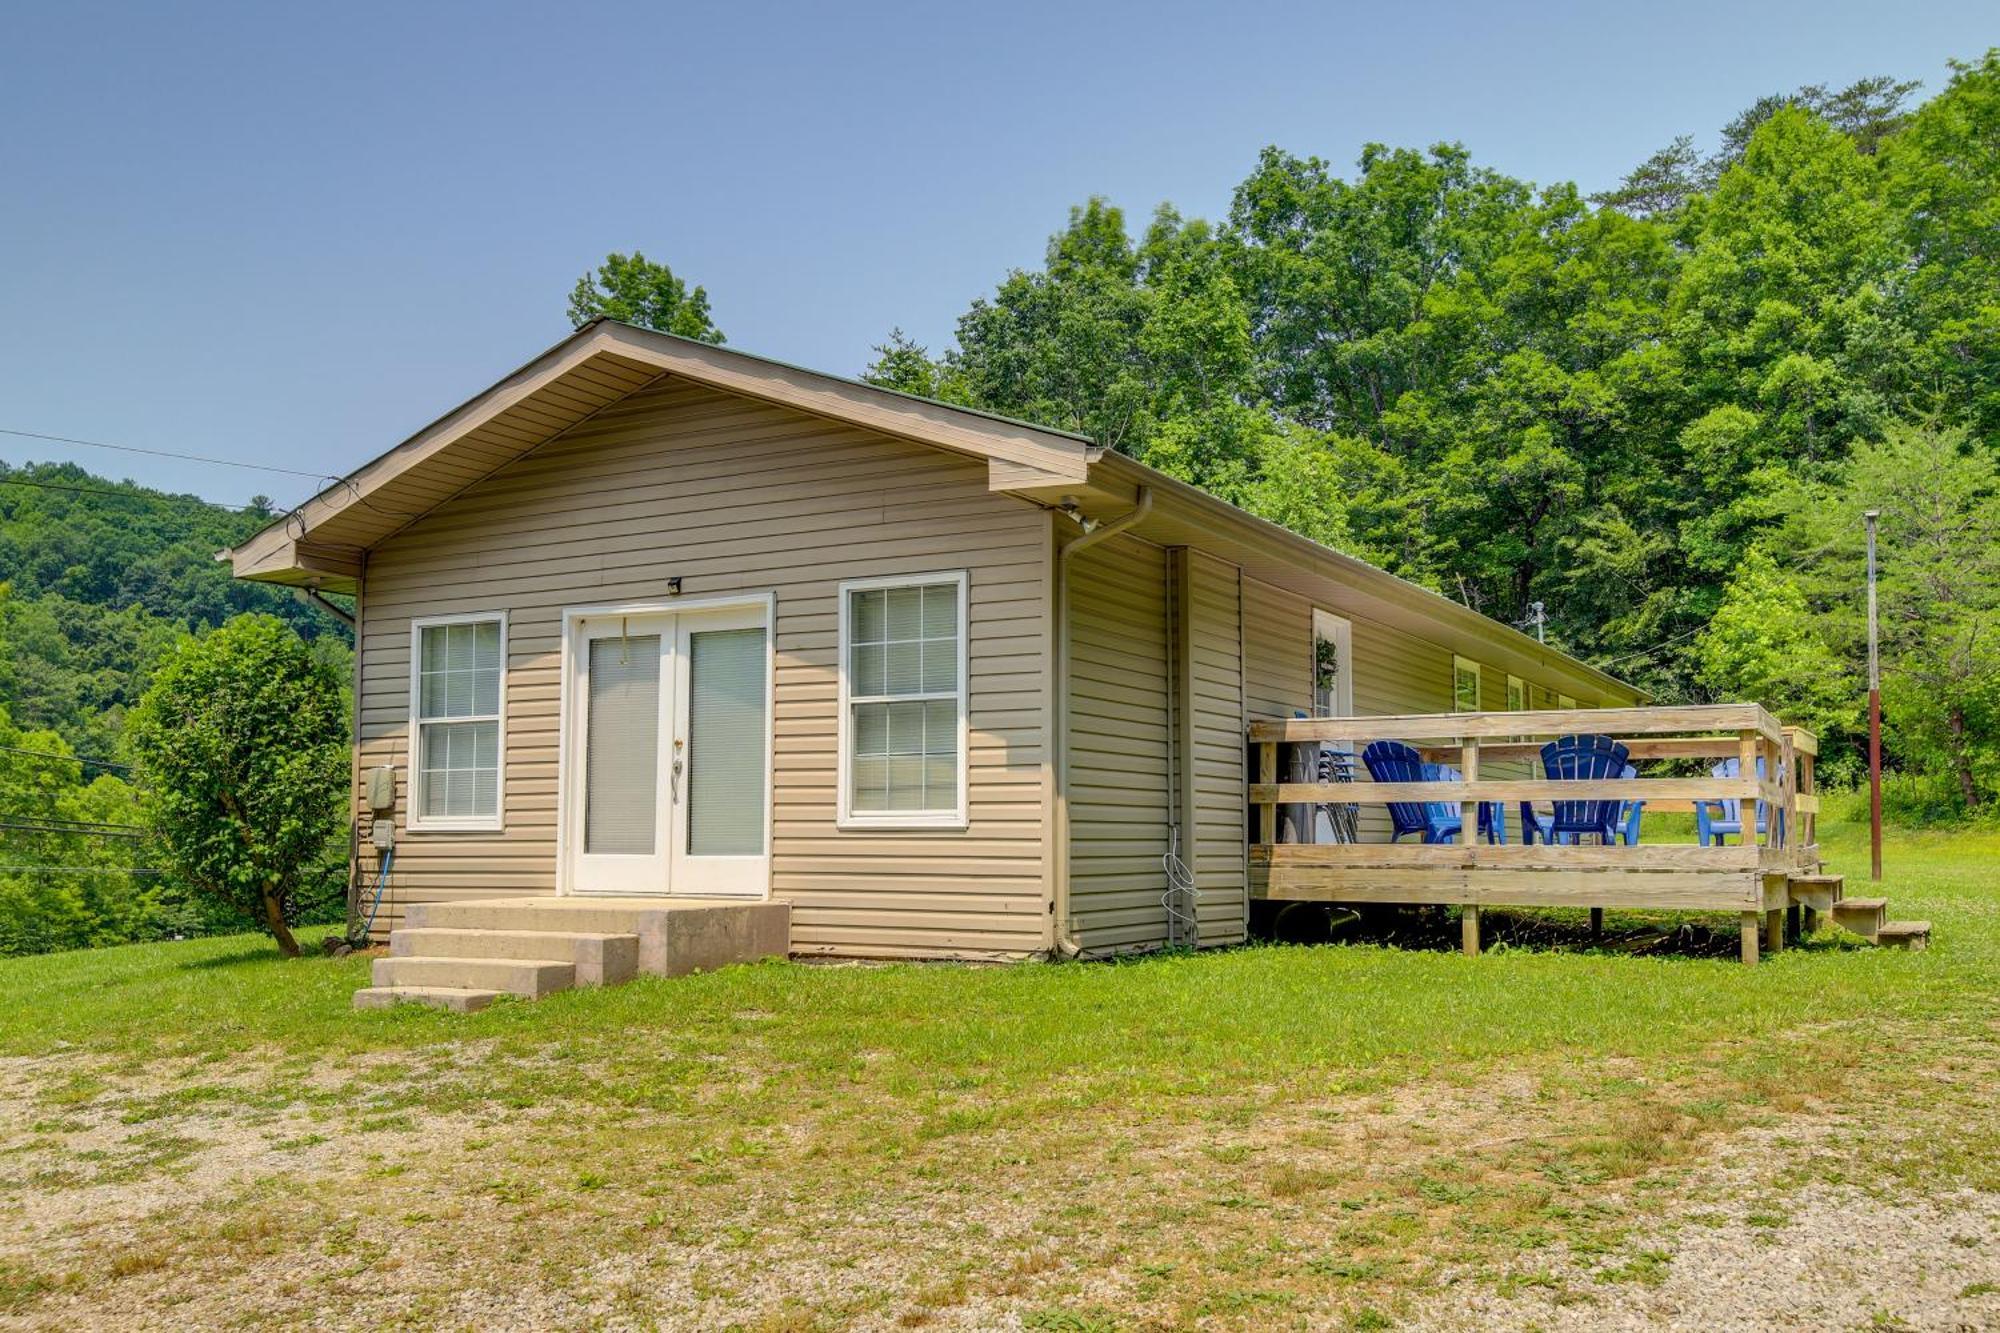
(323, 543)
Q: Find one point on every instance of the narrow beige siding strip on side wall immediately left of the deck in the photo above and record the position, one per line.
(1217, 756)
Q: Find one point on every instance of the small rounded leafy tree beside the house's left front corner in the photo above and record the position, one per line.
(243, 744)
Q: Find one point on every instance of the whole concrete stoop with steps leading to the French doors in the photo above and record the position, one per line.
(465, 956)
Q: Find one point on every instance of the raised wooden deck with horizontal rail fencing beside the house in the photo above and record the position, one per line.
(1499, 754)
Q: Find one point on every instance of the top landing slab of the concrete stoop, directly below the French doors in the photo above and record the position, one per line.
(675, 936)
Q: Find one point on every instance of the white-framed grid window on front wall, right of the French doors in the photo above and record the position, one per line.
(903, 702)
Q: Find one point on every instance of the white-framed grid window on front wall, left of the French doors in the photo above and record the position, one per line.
(457, 722)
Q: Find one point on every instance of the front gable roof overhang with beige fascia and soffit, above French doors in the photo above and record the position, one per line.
(325, 541)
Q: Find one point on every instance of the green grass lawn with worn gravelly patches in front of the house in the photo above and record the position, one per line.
(1243, 1138)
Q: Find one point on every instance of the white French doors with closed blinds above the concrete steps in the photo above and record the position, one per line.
(667, 762)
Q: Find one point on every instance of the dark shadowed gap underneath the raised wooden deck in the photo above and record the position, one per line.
(1437, 930)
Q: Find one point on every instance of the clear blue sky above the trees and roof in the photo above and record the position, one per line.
(297, 233)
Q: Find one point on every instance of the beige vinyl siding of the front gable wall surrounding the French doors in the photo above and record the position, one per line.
(741, 497)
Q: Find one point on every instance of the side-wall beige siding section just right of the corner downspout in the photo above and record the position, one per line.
(1119, 744)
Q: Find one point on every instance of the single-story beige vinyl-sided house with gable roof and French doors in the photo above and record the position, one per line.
(665, 619)
